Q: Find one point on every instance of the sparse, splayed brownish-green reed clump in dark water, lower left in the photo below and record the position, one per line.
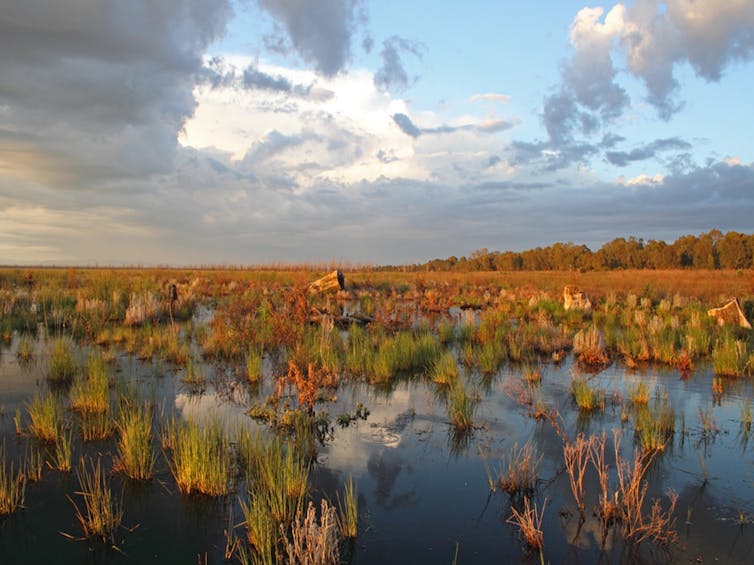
(102, 512)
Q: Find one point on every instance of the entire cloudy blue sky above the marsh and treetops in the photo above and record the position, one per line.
(211, 132)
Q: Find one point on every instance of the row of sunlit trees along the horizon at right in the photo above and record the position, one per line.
(712, 250)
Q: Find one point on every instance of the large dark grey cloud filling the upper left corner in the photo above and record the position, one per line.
(97, 93)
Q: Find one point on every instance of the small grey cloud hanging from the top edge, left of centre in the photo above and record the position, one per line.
(320, 32)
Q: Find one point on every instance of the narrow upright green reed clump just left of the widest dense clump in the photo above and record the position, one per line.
(135, 454)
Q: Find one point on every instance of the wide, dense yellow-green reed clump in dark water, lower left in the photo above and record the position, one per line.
(201, 459)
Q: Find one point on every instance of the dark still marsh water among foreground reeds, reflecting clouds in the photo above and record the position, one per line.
(423, 491)
